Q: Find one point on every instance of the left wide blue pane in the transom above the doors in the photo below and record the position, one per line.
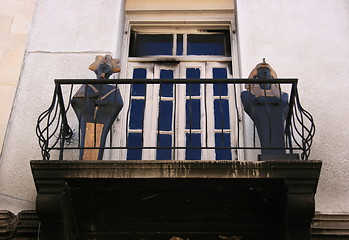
(153, 44)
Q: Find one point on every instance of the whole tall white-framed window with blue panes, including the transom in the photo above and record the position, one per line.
(178, 115)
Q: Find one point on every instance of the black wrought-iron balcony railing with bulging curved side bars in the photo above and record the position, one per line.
(59, 130)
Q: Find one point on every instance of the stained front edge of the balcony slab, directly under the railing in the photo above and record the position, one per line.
(176, 169)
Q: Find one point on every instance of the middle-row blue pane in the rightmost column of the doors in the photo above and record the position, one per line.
(221, 114)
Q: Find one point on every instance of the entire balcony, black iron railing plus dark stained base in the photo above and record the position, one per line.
(190, 187)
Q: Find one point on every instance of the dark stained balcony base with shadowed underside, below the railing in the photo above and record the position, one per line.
(161, 199)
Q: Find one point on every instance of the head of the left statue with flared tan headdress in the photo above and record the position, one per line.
(105, 66)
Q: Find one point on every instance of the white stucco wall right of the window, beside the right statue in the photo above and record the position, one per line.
(308, 40)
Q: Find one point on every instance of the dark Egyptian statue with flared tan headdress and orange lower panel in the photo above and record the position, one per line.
(97, 106)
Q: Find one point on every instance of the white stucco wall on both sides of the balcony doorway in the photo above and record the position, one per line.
(302, 39)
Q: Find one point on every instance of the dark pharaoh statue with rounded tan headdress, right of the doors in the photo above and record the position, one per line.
(267, 106)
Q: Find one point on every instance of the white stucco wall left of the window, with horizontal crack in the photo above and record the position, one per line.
(65, 38)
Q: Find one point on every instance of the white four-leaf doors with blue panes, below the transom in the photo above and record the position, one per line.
(182, 115)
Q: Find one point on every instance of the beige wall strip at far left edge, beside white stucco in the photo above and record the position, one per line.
(15, 21)
